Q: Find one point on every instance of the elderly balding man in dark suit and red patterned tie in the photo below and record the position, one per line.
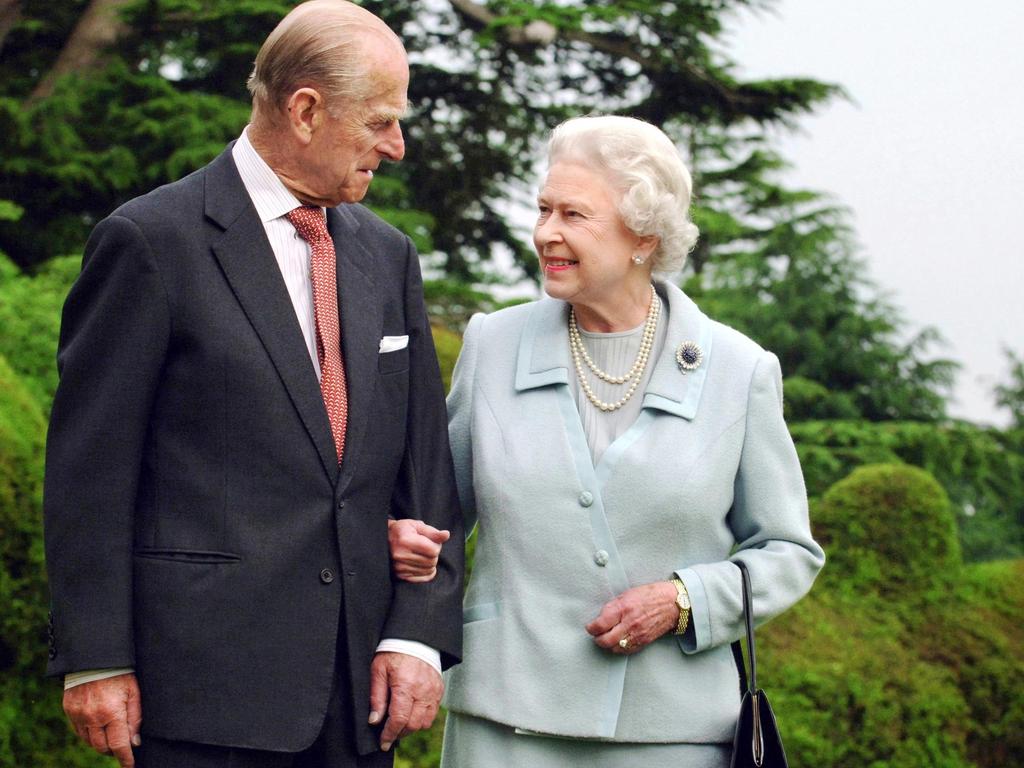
(248, 394)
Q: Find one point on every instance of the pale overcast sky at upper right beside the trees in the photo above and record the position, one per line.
(929, 156)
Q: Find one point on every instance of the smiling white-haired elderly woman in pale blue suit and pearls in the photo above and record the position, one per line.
(617, 451)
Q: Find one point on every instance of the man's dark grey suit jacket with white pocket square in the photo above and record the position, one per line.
(198, 527)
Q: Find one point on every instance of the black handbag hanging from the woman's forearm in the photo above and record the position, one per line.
(757, 743)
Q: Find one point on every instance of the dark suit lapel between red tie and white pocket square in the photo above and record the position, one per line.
(362, 321)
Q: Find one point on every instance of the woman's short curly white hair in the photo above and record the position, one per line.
(645, 166)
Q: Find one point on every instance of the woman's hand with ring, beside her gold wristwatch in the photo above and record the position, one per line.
(641, 615)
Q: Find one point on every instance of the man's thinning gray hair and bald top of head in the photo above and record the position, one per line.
(320, 45)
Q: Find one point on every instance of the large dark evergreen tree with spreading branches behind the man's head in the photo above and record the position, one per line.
(163, 91)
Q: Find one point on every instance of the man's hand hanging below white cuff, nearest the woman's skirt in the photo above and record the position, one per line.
(409, 690)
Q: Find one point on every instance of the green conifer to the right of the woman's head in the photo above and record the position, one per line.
(782, 266)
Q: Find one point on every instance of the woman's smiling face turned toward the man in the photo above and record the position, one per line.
(585, 249)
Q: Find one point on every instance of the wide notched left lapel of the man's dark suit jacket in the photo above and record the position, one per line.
(249, 265)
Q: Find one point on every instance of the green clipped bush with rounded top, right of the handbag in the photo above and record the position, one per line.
(912, 661)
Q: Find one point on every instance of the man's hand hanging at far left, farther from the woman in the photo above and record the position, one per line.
(107, 715)
